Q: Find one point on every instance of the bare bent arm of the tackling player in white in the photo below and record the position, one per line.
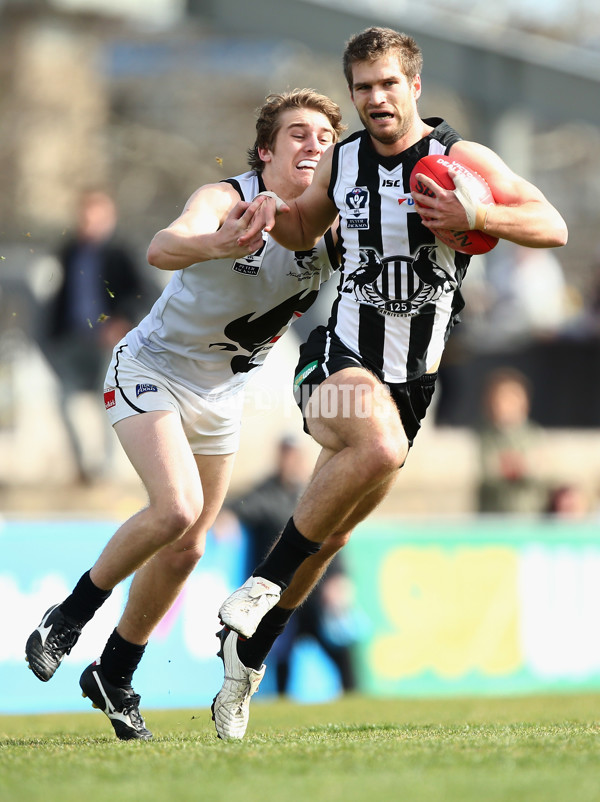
(208, 228)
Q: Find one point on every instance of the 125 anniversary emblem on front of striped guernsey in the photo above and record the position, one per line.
(399, 285)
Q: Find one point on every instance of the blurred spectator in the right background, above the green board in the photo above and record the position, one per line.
(509, 444)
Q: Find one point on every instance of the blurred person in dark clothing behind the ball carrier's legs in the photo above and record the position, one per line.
(328, 615)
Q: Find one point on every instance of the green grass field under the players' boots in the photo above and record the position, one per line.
(519, 749)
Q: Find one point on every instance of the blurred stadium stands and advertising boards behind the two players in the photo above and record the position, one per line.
(152, 98)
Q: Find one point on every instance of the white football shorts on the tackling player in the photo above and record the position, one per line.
(130, 388)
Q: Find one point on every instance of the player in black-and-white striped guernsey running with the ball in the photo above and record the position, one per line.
(365, 381)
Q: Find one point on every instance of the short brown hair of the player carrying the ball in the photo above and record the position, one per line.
(372, 43)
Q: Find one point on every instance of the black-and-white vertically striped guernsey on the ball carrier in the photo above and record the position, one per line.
(399, 292)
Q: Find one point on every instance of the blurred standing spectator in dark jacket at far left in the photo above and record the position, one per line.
(98, 300)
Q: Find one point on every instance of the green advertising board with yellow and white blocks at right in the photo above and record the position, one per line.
(498, 606)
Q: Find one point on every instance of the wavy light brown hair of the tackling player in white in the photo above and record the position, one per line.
(268, 120)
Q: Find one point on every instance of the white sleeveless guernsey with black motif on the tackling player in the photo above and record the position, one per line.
(215, 322)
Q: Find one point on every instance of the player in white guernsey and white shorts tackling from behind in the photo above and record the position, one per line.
(173, 394)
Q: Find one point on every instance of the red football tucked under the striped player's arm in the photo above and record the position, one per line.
(436, 167)
